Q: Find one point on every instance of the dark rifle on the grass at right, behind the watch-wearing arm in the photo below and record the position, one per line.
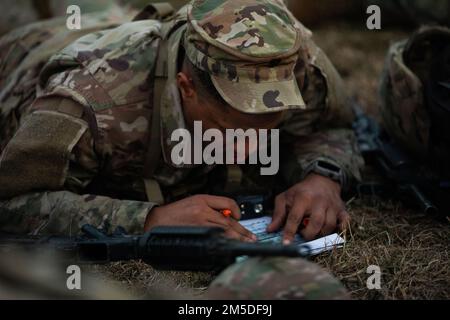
(401, 172)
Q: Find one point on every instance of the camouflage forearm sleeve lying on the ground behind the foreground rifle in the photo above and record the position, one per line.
(65, 212)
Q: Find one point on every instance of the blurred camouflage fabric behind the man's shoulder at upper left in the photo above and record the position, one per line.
(25, 50)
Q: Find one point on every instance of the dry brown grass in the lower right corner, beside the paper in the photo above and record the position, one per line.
(411, 250)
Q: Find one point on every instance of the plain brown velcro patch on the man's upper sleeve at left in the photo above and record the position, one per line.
(37, 157)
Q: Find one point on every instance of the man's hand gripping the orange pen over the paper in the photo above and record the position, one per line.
(200, 210)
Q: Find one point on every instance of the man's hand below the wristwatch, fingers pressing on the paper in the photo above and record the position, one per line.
(317, 198)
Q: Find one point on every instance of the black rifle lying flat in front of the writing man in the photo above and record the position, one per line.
(165, 248)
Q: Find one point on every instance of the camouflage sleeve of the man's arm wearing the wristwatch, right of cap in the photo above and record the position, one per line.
(322, 132)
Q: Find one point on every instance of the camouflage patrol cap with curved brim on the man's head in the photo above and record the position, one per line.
(249, 48)
